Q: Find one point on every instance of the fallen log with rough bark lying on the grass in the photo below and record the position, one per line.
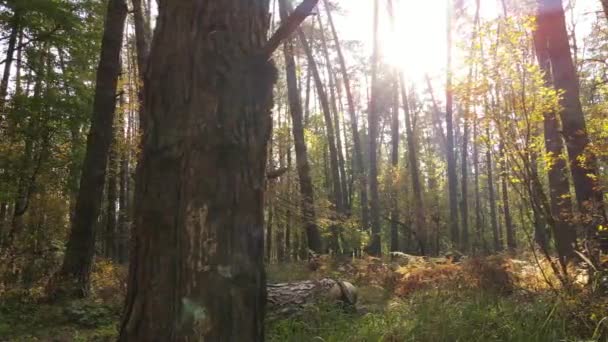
(288, 298)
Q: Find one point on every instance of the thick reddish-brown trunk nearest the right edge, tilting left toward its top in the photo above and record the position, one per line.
(552, 35)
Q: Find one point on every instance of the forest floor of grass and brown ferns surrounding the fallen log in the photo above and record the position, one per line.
(491, 299)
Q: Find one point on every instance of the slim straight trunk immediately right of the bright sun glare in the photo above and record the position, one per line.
(449, 123)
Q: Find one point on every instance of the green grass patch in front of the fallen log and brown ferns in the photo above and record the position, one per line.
(434, 316)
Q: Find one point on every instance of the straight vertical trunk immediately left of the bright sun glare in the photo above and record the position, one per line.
(375, 246)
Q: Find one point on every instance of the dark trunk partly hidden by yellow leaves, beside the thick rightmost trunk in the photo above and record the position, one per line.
(559, 184)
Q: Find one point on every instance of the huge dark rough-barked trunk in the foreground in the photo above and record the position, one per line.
(196, 269)
